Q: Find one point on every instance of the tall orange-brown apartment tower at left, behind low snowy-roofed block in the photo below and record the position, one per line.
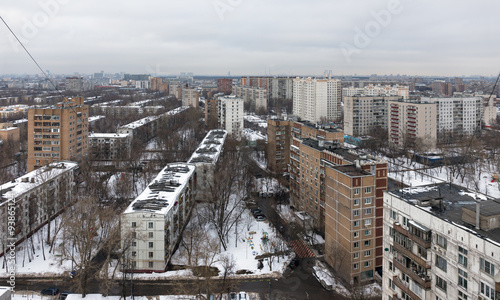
(57, 133)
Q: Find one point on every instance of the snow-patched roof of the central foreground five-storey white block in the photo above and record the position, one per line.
(162, 193)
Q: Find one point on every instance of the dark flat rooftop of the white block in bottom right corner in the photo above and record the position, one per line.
(454, 198)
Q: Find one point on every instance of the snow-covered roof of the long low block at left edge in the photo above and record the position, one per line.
(33, 179)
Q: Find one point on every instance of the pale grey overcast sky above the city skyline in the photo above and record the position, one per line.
(261, 37)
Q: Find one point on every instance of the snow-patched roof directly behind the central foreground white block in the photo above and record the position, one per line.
(210, 148)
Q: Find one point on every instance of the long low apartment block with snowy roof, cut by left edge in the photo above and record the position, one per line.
(35, 198)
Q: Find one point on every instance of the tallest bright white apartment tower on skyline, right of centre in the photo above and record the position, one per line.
(314, 99)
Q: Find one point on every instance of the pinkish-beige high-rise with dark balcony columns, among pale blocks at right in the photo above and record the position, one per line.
(408, 121)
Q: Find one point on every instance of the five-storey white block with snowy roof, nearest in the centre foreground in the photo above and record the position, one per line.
(152, 224)
